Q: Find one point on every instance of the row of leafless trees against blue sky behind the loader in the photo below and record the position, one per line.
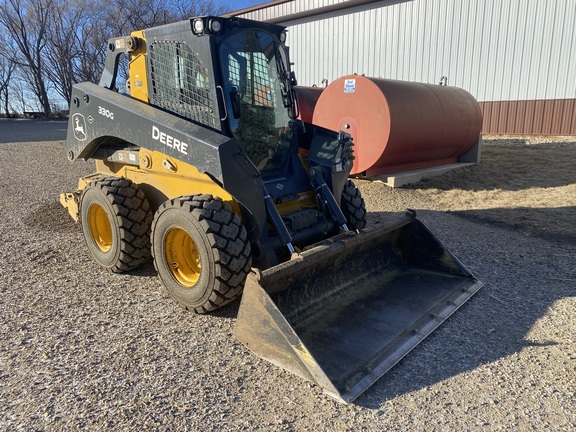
(51, 44)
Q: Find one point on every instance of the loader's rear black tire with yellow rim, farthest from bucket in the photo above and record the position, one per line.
(116, 218)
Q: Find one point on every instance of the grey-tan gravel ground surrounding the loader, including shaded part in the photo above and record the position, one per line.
(83, 349)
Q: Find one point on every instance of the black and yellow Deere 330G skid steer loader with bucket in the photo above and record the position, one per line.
(203, 166)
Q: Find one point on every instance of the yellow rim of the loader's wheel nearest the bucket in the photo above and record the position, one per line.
(182, 257)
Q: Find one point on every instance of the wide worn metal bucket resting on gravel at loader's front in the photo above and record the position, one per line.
(344, 312)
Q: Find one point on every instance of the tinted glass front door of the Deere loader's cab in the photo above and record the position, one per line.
(259, 108)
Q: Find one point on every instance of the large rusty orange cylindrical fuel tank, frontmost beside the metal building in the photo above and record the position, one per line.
(399, 125)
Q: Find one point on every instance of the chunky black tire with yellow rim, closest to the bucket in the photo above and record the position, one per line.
(201, 251)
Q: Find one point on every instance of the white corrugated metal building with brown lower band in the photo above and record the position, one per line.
(517, 57)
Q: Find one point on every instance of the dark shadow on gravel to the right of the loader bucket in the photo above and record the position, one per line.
(519, 289)
